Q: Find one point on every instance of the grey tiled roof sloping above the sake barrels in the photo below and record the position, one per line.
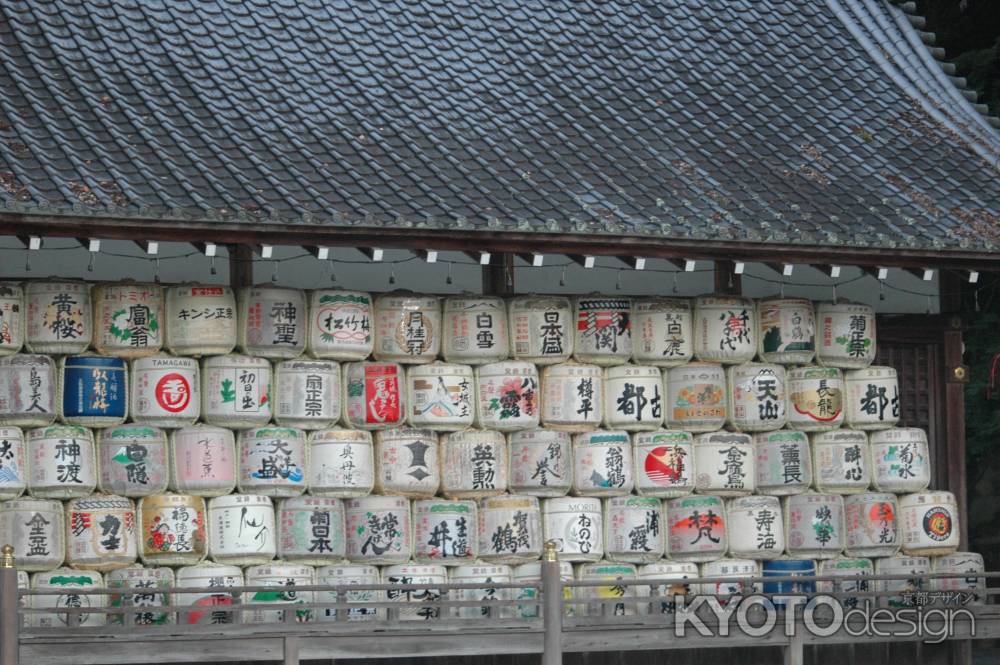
(806, 123)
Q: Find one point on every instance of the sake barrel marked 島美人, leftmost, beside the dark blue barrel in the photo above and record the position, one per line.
(28, 390)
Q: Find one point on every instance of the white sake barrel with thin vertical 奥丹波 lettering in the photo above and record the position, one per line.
(341, 463)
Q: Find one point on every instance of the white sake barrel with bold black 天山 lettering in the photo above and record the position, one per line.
(757, 397)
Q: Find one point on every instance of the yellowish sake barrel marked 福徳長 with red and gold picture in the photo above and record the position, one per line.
(173, 529)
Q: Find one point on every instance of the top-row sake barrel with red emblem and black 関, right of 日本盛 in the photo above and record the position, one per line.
(603, 333)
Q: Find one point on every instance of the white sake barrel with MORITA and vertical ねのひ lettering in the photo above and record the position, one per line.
(576, 525)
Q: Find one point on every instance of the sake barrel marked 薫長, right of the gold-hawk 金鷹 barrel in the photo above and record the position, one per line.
(784, 462)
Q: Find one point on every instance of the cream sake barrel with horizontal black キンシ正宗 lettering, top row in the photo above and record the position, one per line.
(201, 320)
